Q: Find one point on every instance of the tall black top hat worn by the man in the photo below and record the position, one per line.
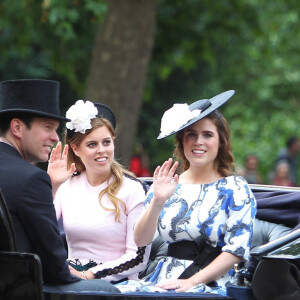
(33, 96)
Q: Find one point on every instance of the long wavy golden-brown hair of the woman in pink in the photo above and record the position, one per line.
(117, 169)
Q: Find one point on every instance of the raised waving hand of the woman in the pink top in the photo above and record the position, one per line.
(57, 166)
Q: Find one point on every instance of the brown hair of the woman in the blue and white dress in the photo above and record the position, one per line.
(224, 160)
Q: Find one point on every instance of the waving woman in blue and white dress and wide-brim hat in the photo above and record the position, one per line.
(205, 214)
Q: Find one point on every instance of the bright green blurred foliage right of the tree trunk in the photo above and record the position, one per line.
(203, 48)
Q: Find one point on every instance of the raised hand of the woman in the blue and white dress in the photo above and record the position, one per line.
(164, 181)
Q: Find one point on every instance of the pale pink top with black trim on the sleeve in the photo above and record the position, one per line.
(92, 232)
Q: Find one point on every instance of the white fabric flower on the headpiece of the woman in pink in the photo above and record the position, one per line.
(80, 115)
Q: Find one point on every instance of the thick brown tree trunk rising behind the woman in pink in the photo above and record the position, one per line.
(119, 65)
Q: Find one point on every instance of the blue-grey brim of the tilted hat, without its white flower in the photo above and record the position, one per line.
(206, 106)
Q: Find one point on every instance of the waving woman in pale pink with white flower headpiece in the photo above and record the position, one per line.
(98, 198)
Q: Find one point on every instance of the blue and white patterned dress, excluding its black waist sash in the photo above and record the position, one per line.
(223, 212)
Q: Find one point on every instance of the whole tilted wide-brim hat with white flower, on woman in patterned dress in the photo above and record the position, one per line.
(183, 115)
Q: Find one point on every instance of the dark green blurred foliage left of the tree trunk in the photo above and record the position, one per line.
(49, 39)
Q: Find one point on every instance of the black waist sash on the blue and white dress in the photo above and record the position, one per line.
(198, 251)
